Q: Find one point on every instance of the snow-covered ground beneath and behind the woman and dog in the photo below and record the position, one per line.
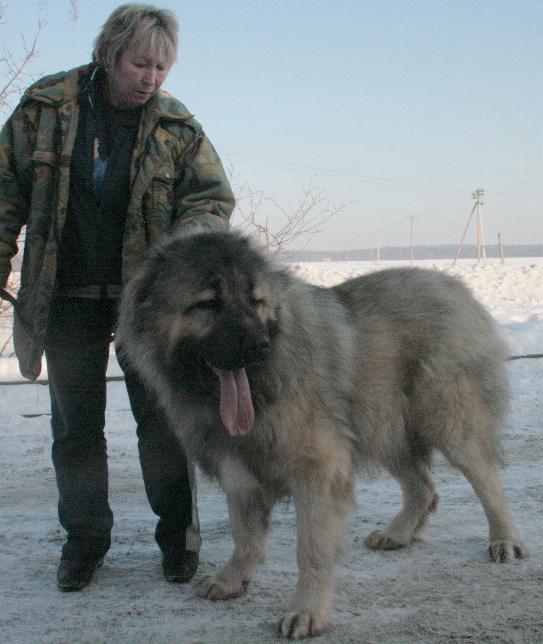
(442, 589)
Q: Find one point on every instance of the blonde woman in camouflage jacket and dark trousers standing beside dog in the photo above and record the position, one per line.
(99, 162)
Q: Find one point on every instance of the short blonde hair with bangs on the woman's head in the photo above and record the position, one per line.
(139, 27)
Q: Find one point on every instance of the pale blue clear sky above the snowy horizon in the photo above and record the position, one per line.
(391, 113)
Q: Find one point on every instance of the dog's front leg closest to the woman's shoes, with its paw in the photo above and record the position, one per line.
(249, 510)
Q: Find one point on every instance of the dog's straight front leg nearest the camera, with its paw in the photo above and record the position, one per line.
(322, 506)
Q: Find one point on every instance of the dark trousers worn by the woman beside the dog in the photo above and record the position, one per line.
(77, 349)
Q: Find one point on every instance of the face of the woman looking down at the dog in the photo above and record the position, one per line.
(135, 78)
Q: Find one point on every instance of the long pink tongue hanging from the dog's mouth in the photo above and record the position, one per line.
(236, 406)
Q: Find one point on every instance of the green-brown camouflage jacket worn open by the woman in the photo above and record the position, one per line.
(176, 179)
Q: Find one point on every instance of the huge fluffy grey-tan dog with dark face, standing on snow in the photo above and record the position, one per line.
(277, 388)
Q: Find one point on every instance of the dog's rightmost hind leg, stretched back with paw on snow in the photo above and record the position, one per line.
(474, 458)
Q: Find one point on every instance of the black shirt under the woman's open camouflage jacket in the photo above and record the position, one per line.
(92, 239)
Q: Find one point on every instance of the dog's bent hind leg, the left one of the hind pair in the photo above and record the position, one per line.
(419, 499)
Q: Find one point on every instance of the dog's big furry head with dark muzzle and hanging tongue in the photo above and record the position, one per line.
(208, 305)
